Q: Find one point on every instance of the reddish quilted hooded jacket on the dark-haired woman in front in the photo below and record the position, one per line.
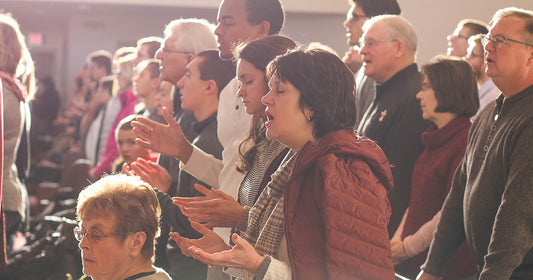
(337, 210)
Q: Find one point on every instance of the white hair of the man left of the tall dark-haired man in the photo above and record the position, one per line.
(193, 35)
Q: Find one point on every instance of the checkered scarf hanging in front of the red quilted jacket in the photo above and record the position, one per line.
(266, 221)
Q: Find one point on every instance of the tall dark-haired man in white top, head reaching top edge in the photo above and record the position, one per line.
(238, 21)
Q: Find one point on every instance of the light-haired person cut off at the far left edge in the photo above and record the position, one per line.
(18, 86)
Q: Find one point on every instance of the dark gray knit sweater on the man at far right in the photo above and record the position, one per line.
(490, 201)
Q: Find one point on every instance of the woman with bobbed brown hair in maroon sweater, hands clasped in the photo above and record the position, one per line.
(449, 97)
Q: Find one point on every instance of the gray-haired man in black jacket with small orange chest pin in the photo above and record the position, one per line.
(393, 119)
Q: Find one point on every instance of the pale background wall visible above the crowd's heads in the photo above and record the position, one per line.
(73, 34)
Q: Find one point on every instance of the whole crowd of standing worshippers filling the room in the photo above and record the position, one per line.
(233, 152)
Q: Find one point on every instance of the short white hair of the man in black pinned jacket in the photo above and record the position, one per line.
(398, 28)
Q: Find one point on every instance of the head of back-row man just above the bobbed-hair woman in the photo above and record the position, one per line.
(458, 40)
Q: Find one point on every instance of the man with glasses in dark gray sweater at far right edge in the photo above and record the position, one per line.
(489, 204)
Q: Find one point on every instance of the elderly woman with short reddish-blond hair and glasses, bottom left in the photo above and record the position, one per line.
(119, 221)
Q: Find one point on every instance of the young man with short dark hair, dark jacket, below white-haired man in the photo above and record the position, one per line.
(204, 78)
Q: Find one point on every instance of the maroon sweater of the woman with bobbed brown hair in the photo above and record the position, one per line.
(432, 178)
